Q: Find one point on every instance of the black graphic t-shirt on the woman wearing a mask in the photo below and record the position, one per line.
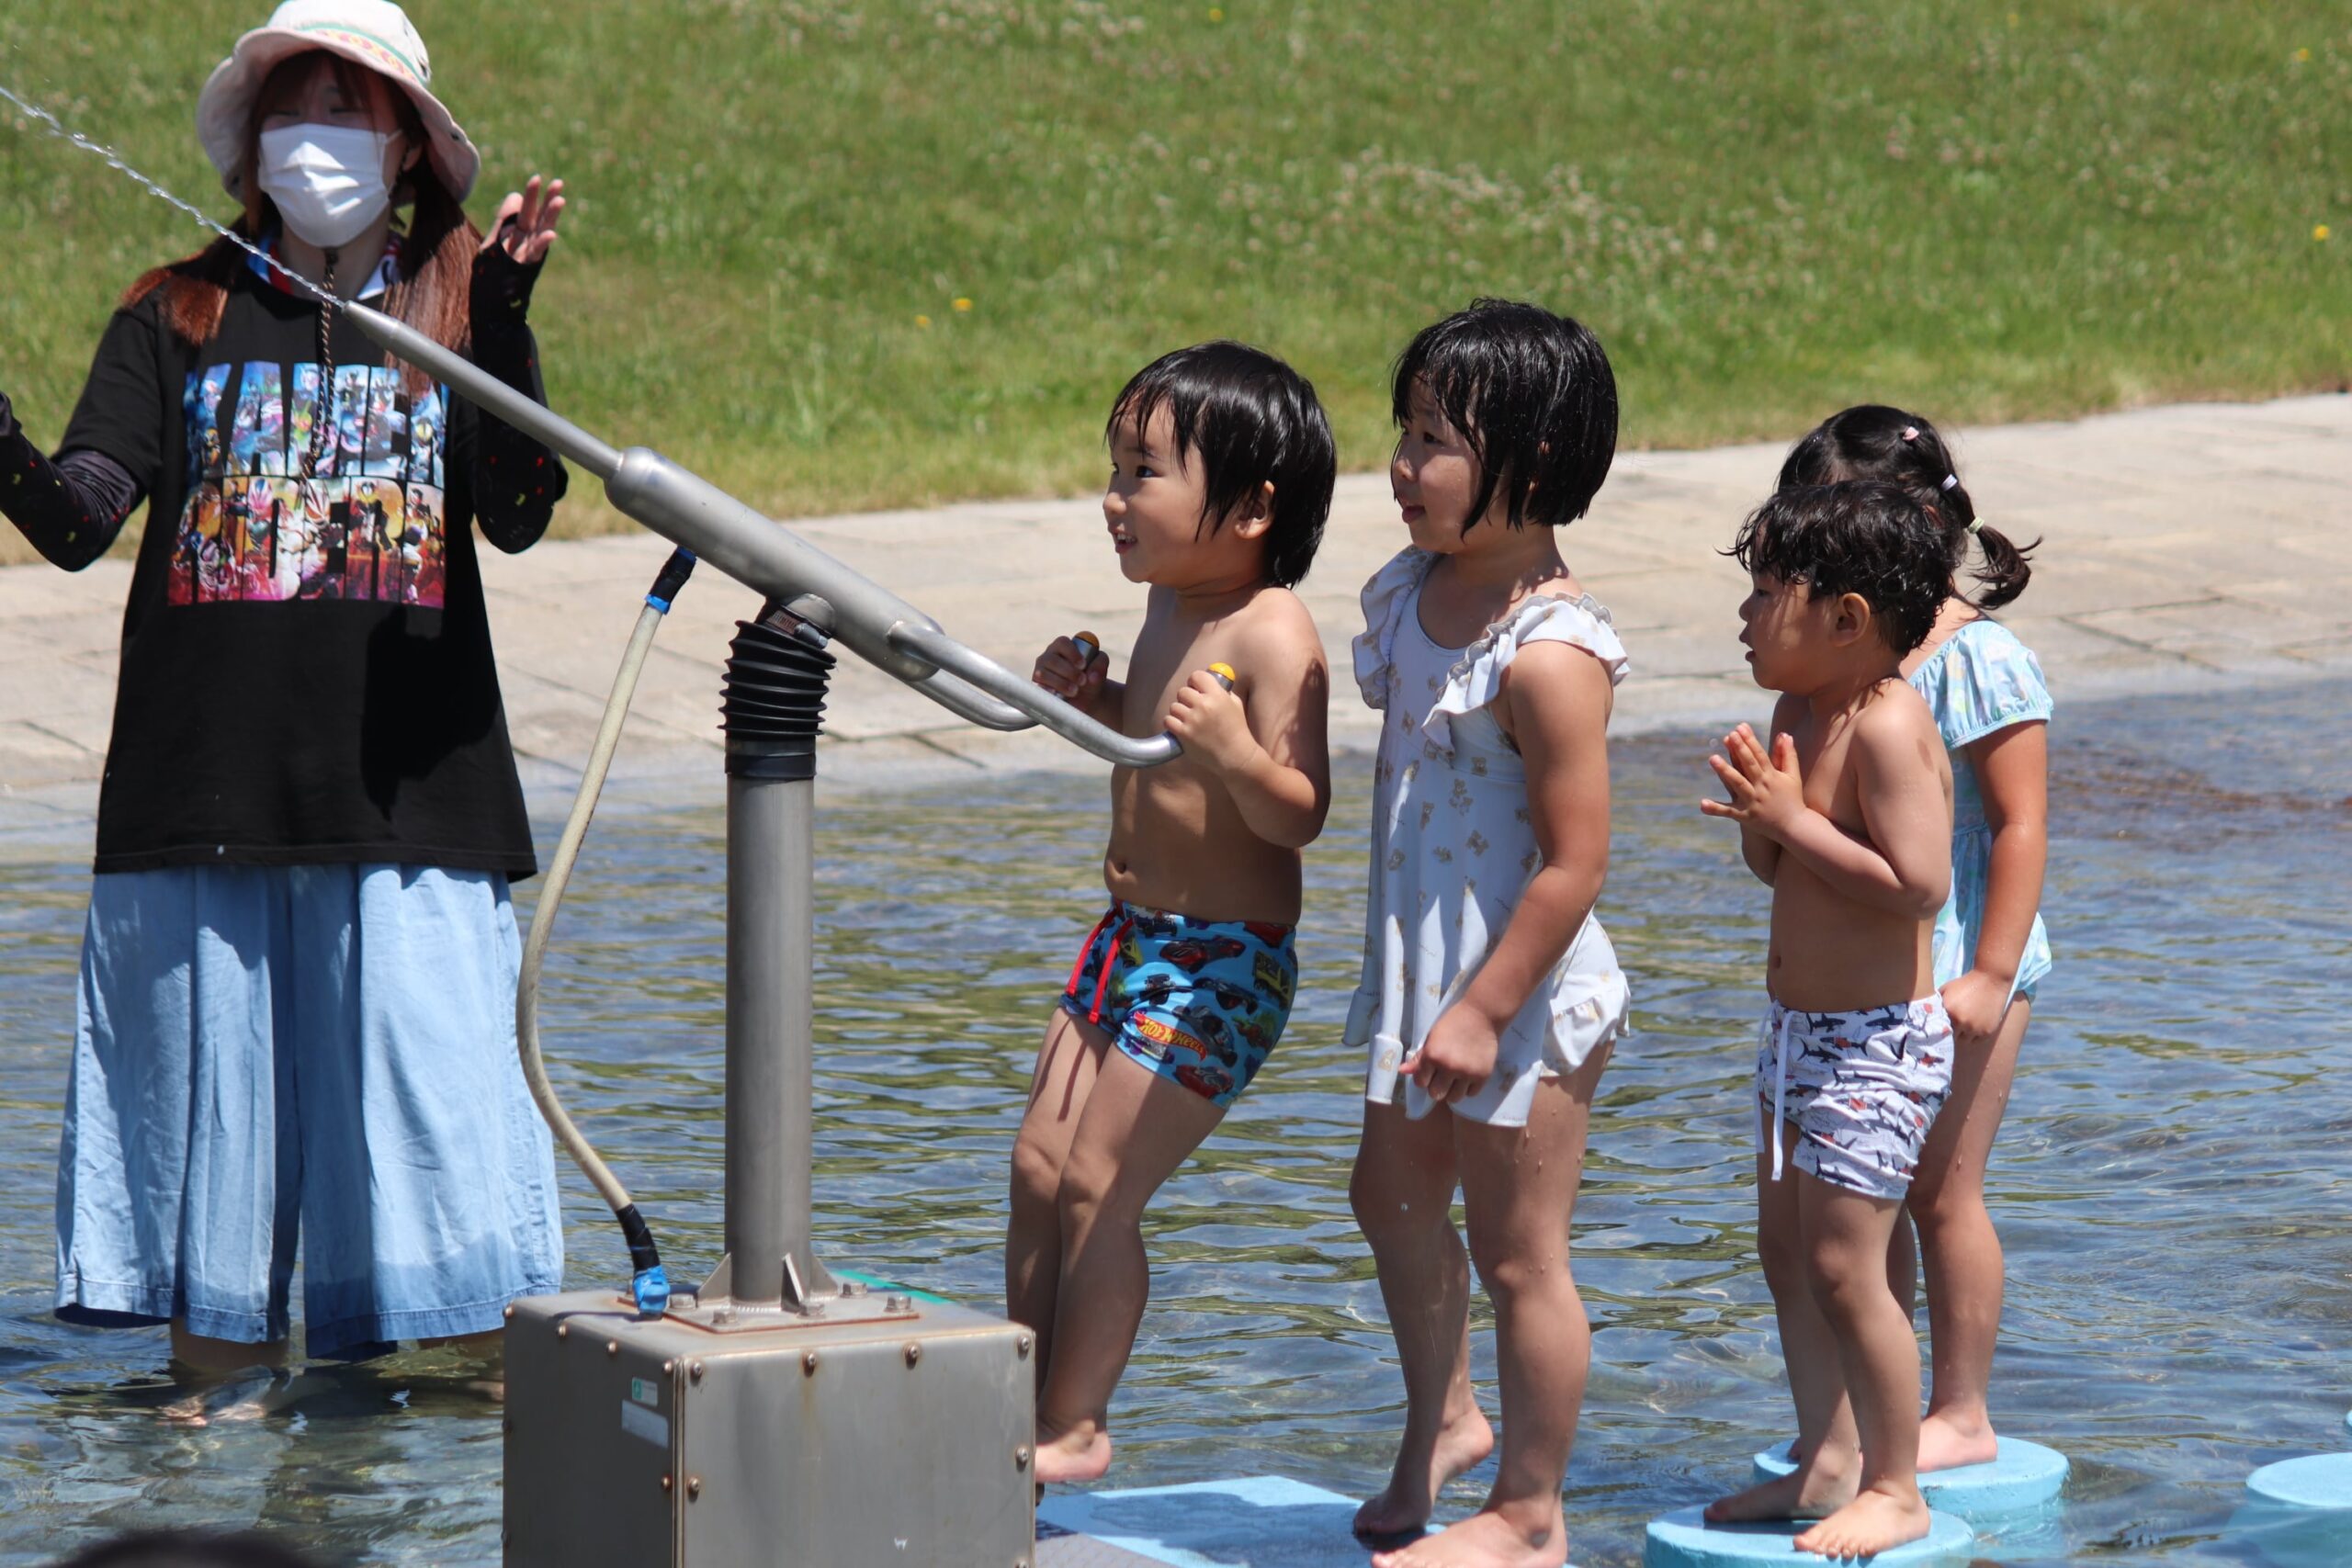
(307, 669)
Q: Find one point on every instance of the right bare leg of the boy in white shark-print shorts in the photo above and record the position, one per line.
(1845, 1235)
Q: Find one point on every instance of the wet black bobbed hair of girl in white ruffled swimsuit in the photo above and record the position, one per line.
(1535, 398)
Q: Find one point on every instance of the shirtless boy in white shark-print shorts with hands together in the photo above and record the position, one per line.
(1850, 819)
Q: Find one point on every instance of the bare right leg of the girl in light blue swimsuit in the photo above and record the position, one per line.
(1963, 1252)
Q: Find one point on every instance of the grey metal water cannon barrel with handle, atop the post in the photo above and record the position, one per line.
(770, 558)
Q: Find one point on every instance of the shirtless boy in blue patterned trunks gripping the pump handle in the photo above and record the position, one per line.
(1222, 474)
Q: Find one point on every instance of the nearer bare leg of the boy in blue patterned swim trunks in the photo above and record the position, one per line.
(1137, 1130)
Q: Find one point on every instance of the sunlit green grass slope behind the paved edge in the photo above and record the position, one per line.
(1768, 210)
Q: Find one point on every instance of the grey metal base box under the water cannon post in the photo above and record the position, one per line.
(895, 1435)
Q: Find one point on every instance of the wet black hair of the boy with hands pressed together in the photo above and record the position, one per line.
(1859, 537)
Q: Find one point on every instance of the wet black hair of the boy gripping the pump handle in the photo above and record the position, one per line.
(1252, 420)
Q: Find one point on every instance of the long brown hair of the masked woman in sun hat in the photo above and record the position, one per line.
(436, 255)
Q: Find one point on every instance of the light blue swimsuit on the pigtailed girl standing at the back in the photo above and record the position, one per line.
(1977, 685)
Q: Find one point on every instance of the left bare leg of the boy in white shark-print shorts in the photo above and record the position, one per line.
(1829, 1452)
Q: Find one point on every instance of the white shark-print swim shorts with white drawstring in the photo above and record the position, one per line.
(1862, 1090)
